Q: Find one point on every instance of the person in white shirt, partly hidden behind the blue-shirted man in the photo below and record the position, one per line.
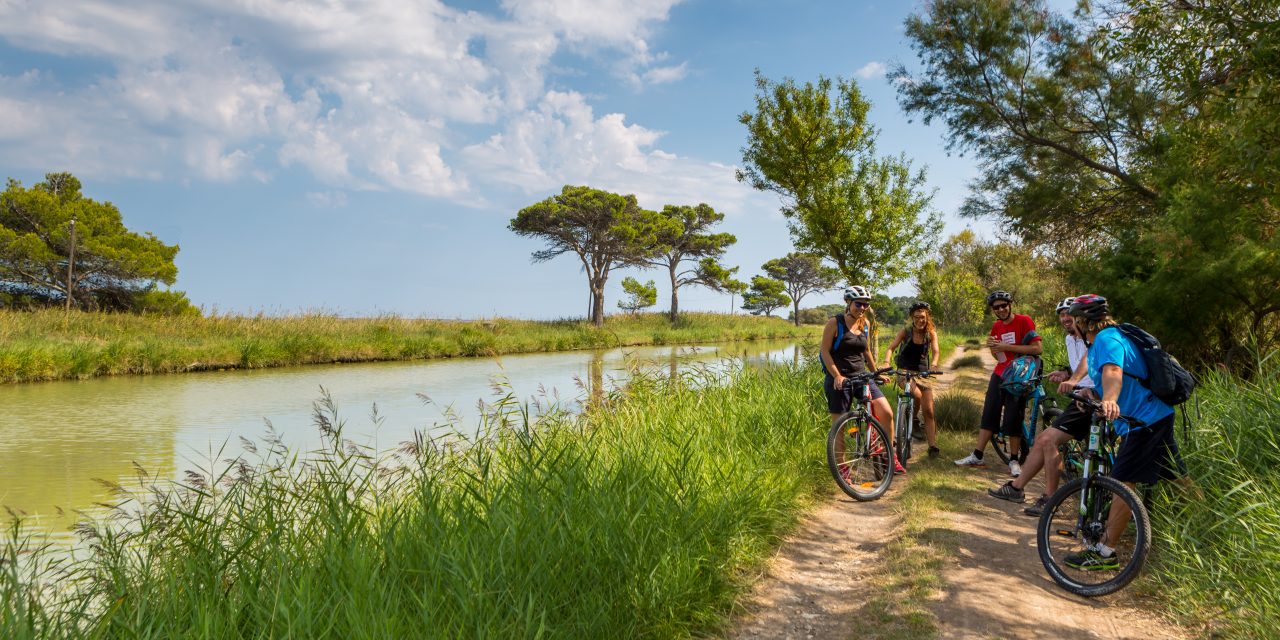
(1073, 423)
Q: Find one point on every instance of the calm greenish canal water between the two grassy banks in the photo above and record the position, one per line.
(57, 438)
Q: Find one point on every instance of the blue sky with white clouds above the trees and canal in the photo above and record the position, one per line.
(365, 158)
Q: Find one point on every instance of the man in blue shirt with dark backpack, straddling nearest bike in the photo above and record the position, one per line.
(1149, 452)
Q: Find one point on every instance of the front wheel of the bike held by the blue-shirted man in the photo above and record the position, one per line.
(1069, 527)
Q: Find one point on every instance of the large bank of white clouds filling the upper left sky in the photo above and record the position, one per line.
(383, 94)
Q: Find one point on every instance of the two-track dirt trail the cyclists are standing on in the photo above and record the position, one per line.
(995, 586)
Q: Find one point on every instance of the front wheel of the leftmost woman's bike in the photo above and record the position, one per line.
(860, 458)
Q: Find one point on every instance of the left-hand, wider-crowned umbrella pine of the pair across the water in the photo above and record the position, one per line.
(604, 230)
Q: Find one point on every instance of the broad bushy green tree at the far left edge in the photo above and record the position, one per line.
(112, 267)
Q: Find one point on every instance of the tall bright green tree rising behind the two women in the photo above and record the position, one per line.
(813, 147)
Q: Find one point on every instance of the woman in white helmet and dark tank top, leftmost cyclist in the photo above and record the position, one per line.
(854, 355)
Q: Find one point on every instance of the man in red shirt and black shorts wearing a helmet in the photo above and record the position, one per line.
(1012, 336)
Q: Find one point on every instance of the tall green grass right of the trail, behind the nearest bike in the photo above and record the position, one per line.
(1217, 557)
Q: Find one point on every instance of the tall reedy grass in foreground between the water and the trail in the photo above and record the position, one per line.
(642, 520)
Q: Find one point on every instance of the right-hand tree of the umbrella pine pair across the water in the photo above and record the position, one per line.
(682, 235)
